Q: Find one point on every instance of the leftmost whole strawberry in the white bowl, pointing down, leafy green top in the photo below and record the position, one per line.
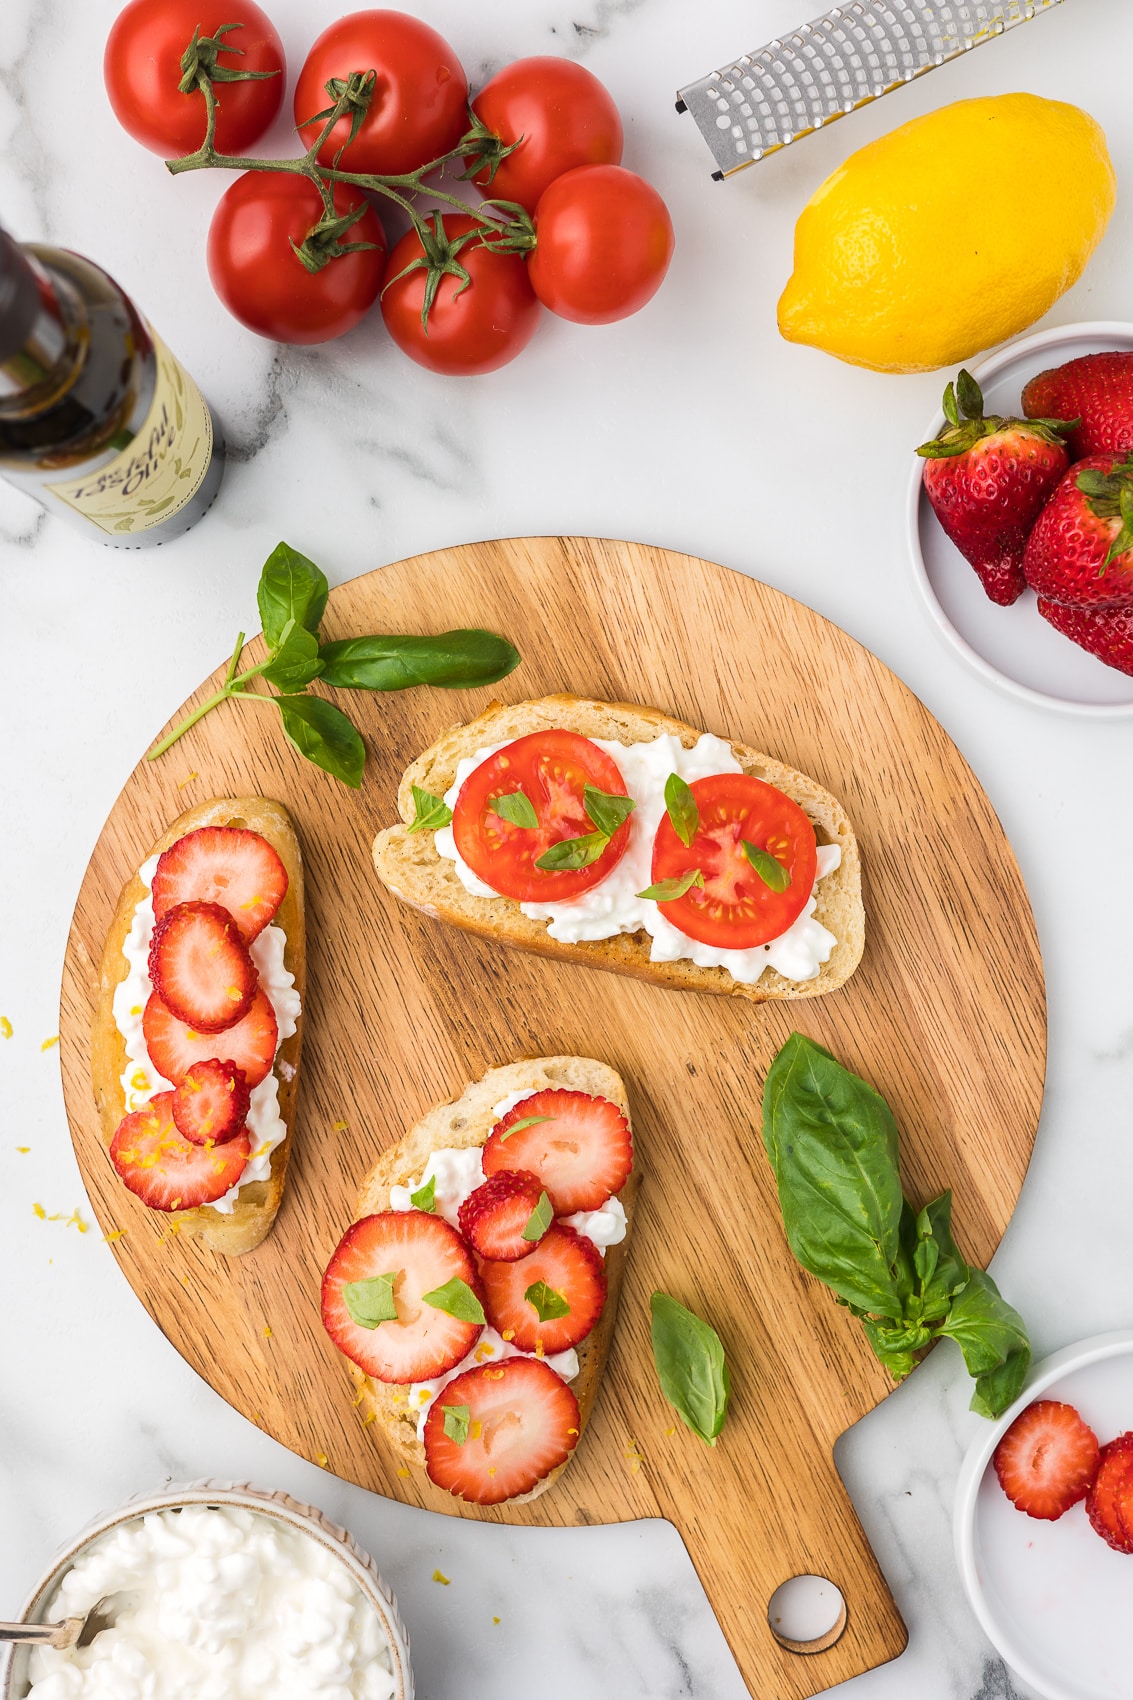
(988, 480)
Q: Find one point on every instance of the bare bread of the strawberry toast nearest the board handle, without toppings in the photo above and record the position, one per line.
(458, 1126)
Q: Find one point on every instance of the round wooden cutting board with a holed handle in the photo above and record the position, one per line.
(945, 1016)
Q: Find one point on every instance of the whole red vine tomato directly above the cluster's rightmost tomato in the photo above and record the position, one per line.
(559, 113)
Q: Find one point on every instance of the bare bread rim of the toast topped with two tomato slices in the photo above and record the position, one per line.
(411, 868)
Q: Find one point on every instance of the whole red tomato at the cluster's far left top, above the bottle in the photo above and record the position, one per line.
(142, 71)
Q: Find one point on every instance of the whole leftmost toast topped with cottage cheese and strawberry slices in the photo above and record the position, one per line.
(171, 1094)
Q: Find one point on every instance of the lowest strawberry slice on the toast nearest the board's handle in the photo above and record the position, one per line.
(521, 1424)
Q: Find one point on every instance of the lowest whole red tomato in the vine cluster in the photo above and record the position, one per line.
(470, 331)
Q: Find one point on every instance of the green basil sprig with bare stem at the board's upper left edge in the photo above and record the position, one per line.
(292, 599)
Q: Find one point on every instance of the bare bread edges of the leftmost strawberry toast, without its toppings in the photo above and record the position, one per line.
(256, 1208)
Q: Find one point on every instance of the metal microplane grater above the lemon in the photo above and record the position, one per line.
(823, 71)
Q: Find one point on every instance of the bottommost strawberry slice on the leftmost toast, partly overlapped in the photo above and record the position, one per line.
(164, 1169)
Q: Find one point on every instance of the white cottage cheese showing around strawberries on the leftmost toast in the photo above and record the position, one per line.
(142, 1082)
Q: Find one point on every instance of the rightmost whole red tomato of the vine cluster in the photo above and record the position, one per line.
(605, 244)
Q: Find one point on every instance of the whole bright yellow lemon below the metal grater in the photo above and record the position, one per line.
(948, 235)
